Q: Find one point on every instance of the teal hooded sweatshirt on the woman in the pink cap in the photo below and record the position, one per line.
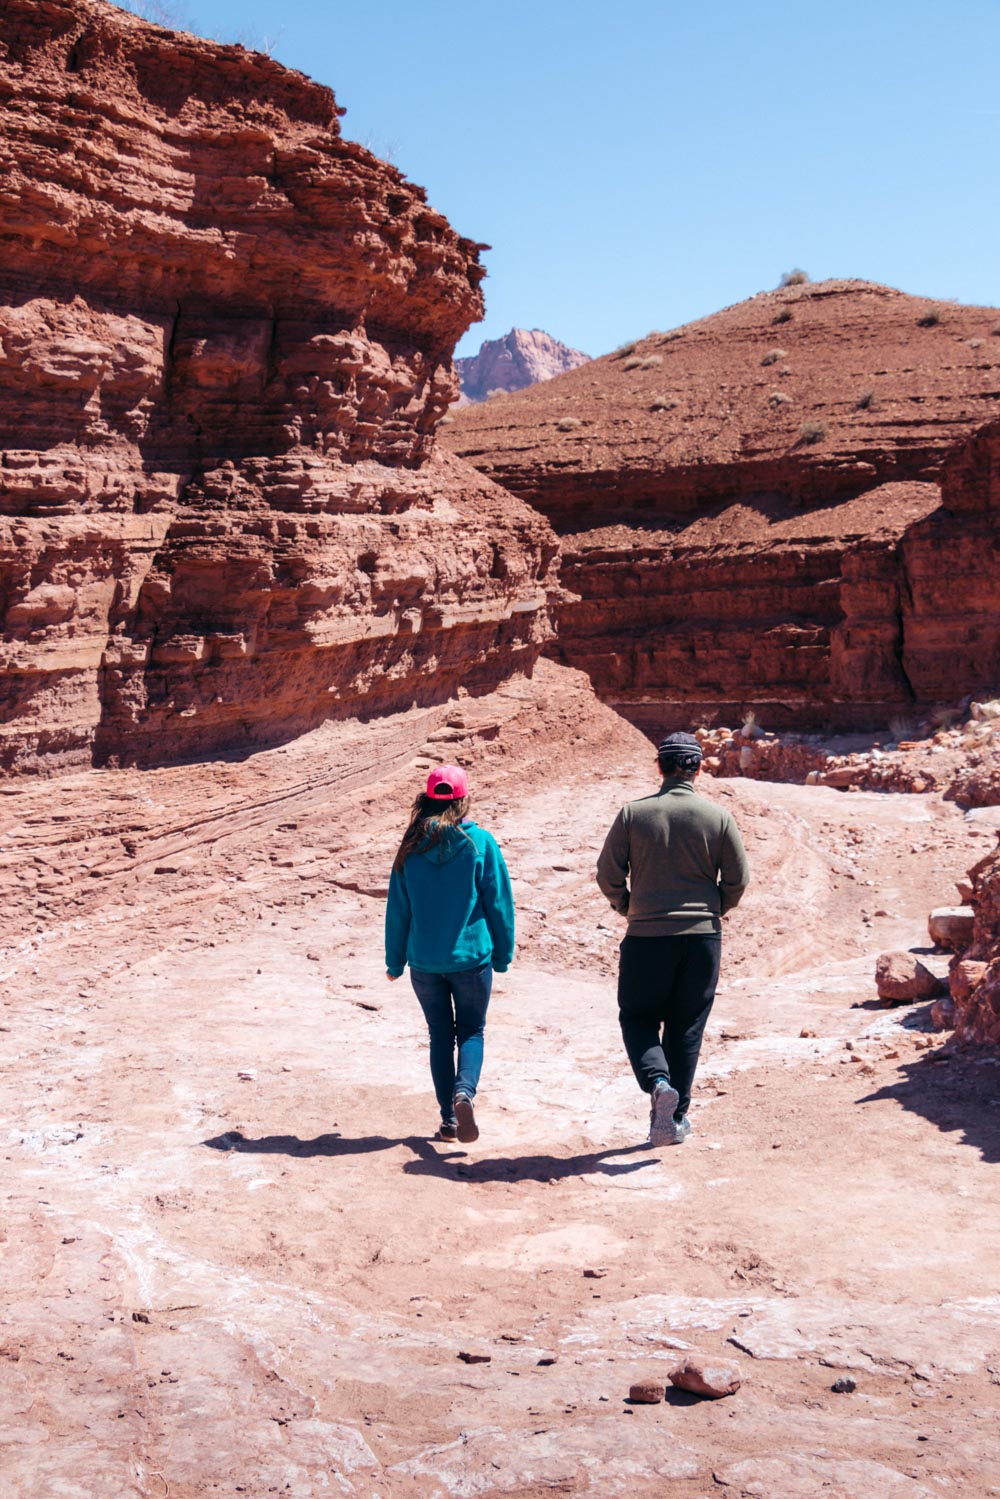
(452, 909)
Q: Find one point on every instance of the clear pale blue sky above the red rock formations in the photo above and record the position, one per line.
(641, 164)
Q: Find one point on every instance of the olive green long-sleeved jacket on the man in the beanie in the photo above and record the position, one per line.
(674, 864)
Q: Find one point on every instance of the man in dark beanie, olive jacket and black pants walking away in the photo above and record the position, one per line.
(672, 864)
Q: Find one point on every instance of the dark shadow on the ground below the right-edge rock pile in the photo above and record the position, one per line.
(957, 1091)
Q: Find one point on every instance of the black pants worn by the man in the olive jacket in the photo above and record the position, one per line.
(666, 987)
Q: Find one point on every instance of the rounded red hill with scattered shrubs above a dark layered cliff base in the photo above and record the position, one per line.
(750, 509)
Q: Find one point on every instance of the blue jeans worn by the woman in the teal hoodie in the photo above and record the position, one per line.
(455, 1008)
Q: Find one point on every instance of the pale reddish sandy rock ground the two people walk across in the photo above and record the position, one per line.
(236, 1263)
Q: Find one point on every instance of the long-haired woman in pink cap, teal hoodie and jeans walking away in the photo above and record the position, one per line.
(451, 917)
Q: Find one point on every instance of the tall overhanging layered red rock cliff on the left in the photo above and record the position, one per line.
(226, 344)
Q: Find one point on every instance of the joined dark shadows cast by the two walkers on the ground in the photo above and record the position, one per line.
(448, 1164)
